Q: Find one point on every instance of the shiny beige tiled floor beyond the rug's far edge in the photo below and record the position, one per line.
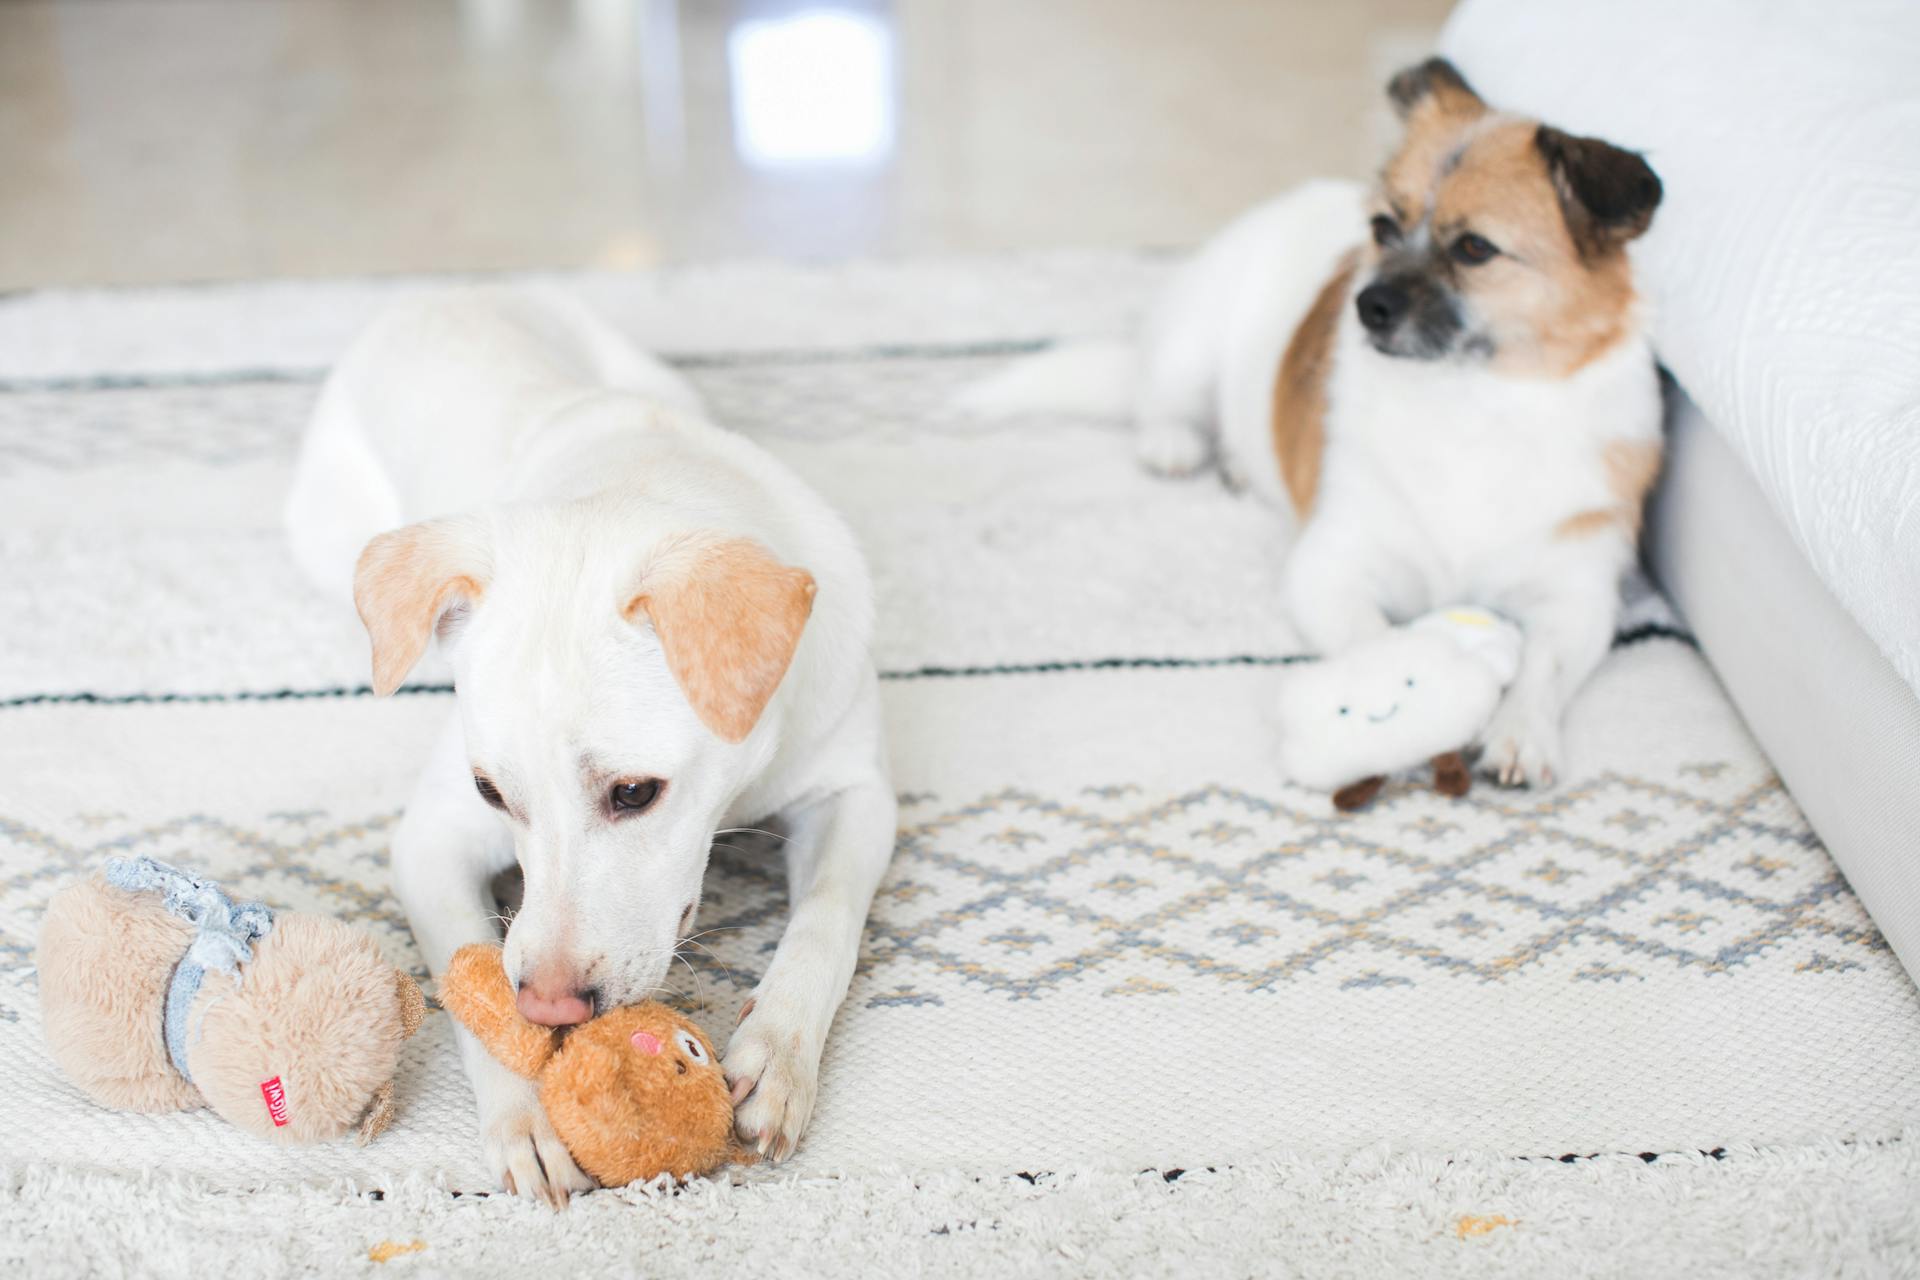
(212, 139)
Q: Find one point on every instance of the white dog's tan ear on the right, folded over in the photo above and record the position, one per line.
(729, 617)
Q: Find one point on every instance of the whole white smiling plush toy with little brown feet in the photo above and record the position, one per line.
(1412, 696)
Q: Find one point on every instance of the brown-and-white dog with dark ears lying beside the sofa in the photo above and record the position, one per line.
(1462, 408)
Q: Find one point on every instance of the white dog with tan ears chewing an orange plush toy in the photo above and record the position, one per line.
(658, 634)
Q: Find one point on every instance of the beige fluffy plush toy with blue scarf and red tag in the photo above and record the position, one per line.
(160, 993)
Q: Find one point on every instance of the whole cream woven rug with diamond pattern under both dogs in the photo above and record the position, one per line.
(1113, 939)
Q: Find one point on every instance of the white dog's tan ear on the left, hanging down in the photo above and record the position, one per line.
(406, 581)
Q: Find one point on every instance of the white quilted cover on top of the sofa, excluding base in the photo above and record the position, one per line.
(1785, 266)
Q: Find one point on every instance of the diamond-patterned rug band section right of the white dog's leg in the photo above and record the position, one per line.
(1022, 895)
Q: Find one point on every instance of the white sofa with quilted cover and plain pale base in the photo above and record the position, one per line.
(1785, 272)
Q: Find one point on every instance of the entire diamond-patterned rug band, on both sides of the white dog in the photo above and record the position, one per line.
(1020, 895)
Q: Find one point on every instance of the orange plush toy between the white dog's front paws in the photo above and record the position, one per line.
(635, 1093)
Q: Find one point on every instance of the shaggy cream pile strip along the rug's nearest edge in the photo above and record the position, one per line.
(1835, 1208)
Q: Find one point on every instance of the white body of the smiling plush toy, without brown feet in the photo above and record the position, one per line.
(1391, 705)
